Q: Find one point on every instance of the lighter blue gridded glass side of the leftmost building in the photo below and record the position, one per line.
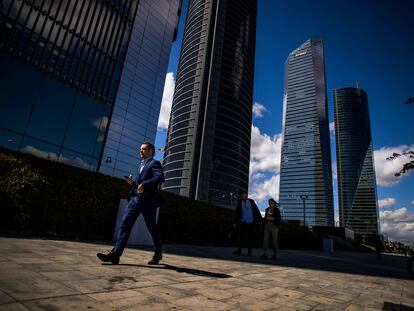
(137, 104)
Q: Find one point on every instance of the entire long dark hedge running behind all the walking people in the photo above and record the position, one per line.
(40, 197)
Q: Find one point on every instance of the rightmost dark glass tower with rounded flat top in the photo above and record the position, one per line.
(358, 208)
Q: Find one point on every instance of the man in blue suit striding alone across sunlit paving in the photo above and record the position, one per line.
(145, 199)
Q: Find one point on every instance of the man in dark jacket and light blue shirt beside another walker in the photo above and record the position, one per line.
(246, 216)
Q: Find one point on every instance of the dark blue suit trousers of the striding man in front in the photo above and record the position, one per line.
(132, 211)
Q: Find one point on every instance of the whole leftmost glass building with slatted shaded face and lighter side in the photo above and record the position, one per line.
(62, 64)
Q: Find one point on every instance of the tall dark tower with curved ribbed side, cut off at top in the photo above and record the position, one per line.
(208, 143)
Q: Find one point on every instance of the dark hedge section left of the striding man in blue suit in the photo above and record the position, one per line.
(48, 198)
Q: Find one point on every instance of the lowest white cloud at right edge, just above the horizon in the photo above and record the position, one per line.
(398, 225)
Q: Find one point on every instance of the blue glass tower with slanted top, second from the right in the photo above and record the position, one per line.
(305, 192)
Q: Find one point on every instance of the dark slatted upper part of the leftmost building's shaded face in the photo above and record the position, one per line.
(80, 43)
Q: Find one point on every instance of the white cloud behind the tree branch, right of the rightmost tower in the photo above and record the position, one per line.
(386, 169)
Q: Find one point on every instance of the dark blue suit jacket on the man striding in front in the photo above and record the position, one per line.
(151, 177)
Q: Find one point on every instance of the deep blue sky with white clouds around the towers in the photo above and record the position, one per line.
(369, 42)
